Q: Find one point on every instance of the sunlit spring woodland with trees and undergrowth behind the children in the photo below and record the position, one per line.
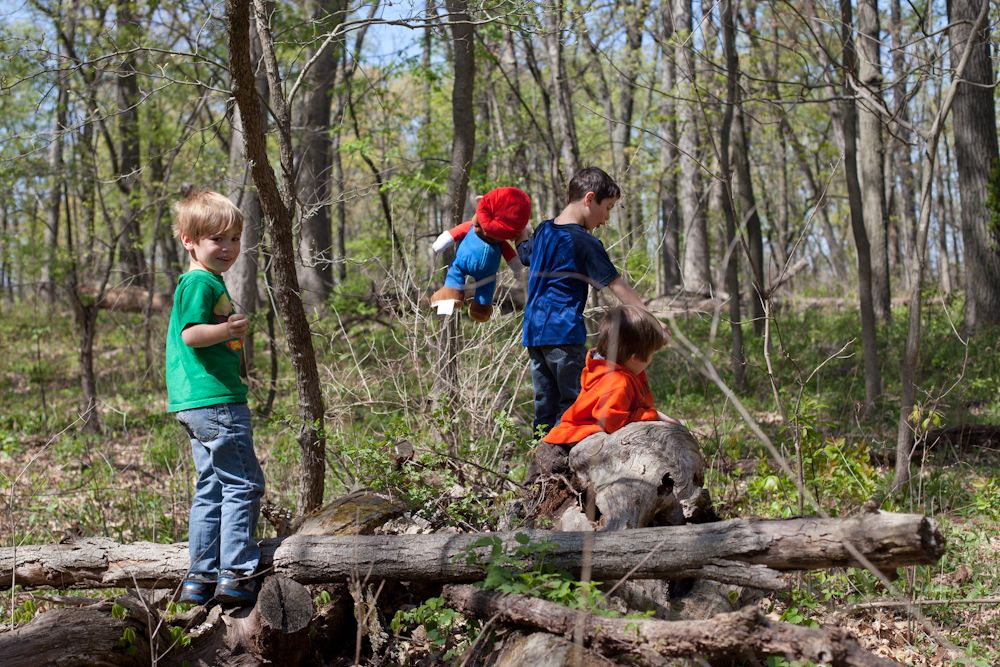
(811, 195)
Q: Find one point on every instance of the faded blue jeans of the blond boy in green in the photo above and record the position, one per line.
(227, 495)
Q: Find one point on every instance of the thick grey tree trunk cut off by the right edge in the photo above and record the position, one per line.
(976, 151)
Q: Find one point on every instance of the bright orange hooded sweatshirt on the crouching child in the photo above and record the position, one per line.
(611, 396)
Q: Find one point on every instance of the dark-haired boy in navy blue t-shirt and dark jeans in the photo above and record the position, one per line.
(564, 259)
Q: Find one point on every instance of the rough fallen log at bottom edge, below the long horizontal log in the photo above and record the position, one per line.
(731, 637)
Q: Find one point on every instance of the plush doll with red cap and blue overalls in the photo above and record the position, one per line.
(501, 215)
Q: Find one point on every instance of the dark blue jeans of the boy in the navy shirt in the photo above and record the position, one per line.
(555, 374)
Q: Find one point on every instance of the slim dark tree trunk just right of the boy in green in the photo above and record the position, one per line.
(278, 206)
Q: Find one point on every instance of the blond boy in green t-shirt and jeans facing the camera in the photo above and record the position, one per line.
(205, 390)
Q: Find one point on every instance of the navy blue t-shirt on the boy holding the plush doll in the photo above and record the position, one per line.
(563, 261)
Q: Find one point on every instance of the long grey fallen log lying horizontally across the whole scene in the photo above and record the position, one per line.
(722, 551)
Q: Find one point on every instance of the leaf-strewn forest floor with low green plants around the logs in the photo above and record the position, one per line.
(132, 481)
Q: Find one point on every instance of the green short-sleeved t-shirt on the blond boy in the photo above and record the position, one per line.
(202, 376)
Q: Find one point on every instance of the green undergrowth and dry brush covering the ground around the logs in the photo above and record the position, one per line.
(457, 459)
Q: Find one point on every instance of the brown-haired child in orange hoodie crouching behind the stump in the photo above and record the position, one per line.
(614, 387)
